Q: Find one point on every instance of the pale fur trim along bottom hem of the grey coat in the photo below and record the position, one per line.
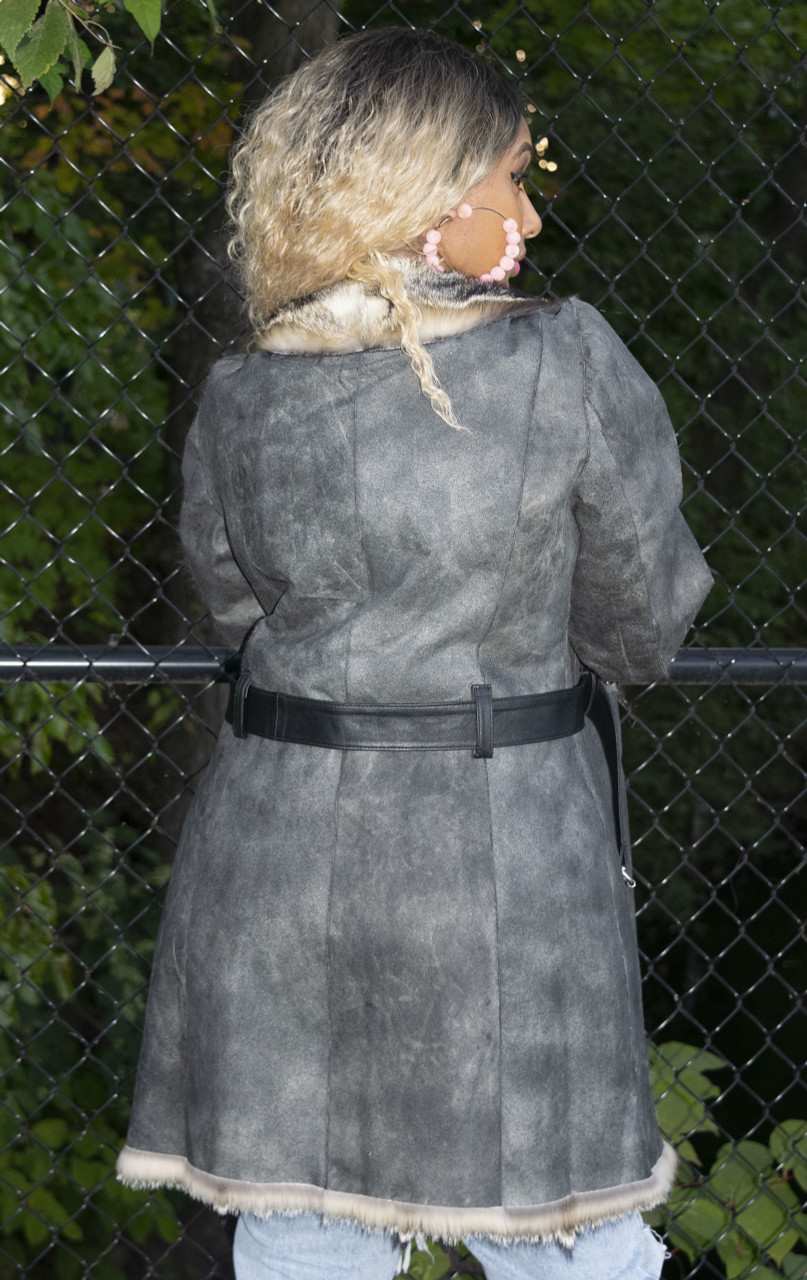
(559, 1220)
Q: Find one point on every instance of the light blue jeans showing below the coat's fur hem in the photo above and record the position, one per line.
(308, 1247)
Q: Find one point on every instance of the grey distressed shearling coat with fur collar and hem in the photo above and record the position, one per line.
(404, 988)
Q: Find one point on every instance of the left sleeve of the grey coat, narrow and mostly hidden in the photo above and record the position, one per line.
(203, 529)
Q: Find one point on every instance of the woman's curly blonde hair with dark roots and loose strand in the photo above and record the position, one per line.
(354, 157)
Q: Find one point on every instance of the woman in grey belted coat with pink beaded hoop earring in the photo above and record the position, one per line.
(396, 989)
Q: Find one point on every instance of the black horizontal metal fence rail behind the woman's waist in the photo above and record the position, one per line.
(130, 665)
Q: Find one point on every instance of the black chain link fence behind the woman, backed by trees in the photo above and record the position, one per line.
(671, 173)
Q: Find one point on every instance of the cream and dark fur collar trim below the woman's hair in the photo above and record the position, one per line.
(352, 317)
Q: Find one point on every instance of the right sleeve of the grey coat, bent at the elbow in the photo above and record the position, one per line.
(640, 577)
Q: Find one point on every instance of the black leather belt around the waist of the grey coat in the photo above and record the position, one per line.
(480, 725)
